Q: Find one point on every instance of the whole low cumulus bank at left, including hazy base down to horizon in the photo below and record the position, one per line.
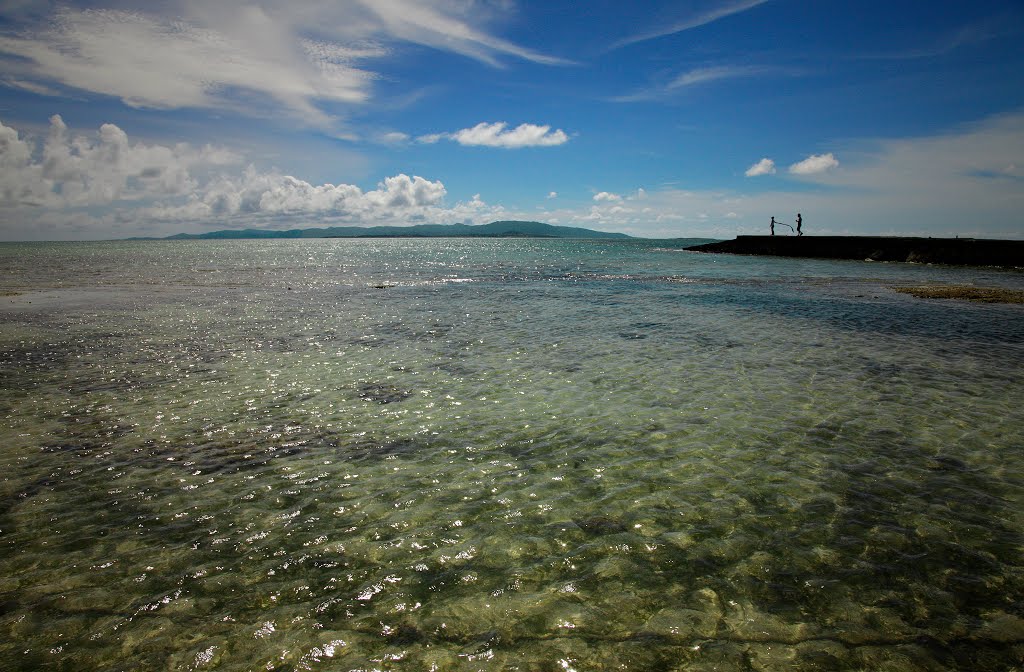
(76, 179)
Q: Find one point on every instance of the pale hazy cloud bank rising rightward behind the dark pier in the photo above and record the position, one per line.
(966, 182)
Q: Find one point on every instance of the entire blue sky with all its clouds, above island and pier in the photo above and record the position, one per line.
(659, 119)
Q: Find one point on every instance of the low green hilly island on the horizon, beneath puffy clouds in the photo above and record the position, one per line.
(494, 230)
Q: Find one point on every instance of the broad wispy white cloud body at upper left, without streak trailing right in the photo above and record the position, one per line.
(152, 63)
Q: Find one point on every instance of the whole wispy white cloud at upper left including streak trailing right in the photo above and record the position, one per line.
(253, 59)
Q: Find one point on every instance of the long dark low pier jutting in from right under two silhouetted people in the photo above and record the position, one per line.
(958, 251)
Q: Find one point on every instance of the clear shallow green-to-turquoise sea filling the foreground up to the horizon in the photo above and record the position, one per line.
(509, 454)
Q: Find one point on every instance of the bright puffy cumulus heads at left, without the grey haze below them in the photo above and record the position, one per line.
(107, 169)
